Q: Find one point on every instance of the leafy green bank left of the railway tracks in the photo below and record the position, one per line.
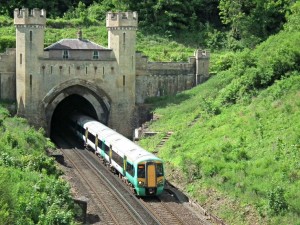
(31, 191)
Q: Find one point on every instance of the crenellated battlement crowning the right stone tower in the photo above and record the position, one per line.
(121, 19)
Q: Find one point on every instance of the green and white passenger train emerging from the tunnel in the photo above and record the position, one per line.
(141, 170)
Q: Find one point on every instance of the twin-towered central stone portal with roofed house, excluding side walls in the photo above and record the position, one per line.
(75, 74)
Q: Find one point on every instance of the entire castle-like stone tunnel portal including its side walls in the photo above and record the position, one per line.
(74, 74)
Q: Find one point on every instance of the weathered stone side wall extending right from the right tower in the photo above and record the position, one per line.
(163, 78)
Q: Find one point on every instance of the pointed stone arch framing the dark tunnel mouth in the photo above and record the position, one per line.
(90, 95)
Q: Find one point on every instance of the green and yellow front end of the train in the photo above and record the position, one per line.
(149, 177)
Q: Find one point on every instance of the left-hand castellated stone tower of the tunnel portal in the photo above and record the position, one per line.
(29, 47)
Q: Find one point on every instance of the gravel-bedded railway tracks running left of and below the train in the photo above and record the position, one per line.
(110, 195)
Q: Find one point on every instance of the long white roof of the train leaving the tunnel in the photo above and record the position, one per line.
(120, 143)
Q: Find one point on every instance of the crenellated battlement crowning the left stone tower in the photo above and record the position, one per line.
(34, 17)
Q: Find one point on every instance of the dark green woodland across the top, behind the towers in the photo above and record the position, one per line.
(246, 23)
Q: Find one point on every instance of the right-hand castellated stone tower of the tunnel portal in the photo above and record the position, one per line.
(122, 27)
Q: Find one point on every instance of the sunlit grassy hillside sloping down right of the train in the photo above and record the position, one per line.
(235, 142)
